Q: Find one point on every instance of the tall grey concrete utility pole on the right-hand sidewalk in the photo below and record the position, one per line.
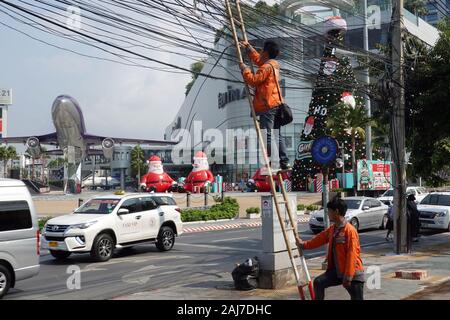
(398, 132)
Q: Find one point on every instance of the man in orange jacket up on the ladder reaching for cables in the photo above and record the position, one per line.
(268, 93)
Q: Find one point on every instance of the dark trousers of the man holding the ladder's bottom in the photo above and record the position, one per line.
(330, 279)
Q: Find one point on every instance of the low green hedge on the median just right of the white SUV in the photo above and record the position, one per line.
(228, 209)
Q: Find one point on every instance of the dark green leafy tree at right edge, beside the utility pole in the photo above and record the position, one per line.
(427, 105)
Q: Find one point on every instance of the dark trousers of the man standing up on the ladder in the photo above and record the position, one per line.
(267, 122)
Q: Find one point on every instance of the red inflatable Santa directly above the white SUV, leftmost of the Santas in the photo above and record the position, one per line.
(156, 179)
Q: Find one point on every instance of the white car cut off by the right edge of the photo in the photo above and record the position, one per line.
(434, 211)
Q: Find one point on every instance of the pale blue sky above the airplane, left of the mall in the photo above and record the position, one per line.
(116, 100)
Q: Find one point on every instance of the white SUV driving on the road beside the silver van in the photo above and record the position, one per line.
(114, 221)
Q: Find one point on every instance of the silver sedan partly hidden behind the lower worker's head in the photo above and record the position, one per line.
(362, 213)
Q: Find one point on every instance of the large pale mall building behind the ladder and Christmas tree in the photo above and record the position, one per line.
(222, 104)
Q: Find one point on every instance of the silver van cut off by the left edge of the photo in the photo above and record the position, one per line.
(19, 235)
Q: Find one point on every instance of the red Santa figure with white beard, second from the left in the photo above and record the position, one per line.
(200, 176)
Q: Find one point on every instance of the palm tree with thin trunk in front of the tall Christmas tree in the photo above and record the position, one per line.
(344, 120)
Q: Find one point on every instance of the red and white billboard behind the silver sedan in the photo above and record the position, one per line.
(374, 175)
